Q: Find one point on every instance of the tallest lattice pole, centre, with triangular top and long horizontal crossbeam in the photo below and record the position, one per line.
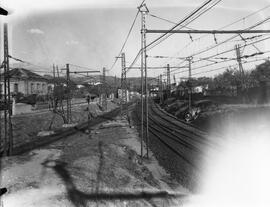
(144, 10)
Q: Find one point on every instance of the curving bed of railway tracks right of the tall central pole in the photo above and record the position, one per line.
(183, 145)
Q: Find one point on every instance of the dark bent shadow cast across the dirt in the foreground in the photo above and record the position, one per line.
(79, 198)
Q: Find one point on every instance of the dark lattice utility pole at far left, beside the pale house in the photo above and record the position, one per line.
(8, 133)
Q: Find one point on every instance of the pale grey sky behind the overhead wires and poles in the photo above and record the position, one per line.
(90, 33)
